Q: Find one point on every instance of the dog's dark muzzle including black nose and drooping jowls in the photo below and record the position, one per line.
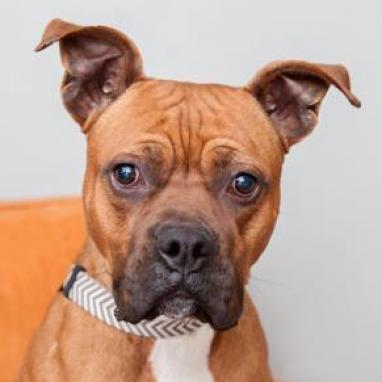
(183, 275)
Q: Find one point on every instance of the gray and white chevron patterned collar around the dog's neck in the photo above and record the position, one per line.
(99, 302)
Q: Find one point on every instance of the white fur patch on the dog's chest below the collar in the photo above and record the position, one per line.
(184, 358)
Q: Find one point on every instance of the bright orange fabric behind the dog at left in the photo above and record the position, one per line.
(38, 241)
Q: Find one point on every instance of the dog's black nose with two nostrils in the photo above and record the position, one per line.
(185, 248)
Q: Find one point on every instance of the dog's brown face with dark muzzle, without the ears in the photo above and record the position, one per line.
(181, 195)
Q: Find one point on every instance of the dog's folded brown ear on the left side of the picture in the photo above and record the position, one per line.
(100, 63)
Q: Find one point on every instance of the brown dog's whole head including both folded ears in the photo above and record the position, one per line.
(182, 187)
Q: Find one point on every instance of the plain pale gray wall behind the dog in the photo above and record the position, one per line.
(318, 285)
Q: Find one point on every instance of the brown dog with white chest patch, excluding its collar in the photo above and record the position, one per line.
(181, 194)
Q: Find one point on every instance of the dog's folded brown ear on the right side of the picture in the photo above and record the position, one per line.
(291, 93)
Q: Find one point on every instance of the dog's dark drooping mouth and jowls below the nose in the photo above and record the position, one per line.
(213, 296)
